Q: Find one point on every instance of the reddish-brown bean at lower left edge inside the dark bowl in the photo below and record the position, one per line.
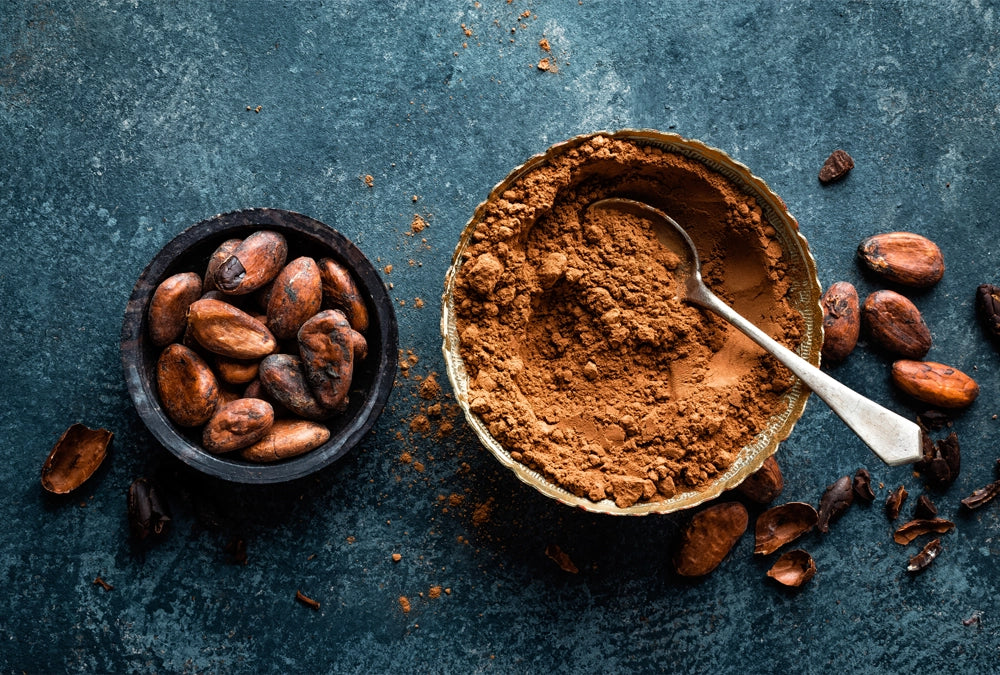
(189, 392)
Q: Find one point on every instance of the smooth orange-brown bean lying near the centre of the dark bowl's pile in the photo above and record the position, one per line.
(223, 329)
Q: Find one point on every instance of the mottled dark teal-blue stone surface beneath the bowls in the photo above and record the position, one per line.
(121, 123)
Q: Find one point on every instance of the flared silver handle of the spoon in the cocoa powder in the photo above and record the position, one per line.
(894, 439)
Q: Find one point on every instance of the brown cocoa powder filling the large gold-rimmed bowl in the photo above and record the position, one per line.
(583, 362)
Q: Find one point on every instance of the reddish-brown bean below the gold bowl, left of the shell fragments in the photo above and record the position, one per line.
(709, 537)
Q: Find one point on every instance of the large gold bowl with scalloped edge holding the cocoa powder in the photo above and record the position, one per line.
(798, 271)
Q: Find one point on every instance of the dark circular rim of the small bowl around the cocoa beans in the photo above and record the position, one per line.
(146, 399)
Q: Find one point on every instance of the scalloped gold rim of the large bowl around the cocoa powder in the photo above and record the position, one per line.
(776, 212)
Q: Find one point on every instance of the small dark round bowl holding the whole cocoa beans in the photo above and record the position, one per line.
(189, 252)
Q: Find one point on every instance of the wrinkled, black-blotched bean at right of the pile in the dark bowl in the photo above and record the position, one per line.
(329, 348)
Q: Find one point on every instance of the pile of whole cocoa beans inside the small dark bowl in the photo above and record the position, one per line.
(257, 352)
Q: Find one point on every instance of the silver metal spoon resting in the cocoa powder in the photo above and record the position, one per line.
(894, 439)
